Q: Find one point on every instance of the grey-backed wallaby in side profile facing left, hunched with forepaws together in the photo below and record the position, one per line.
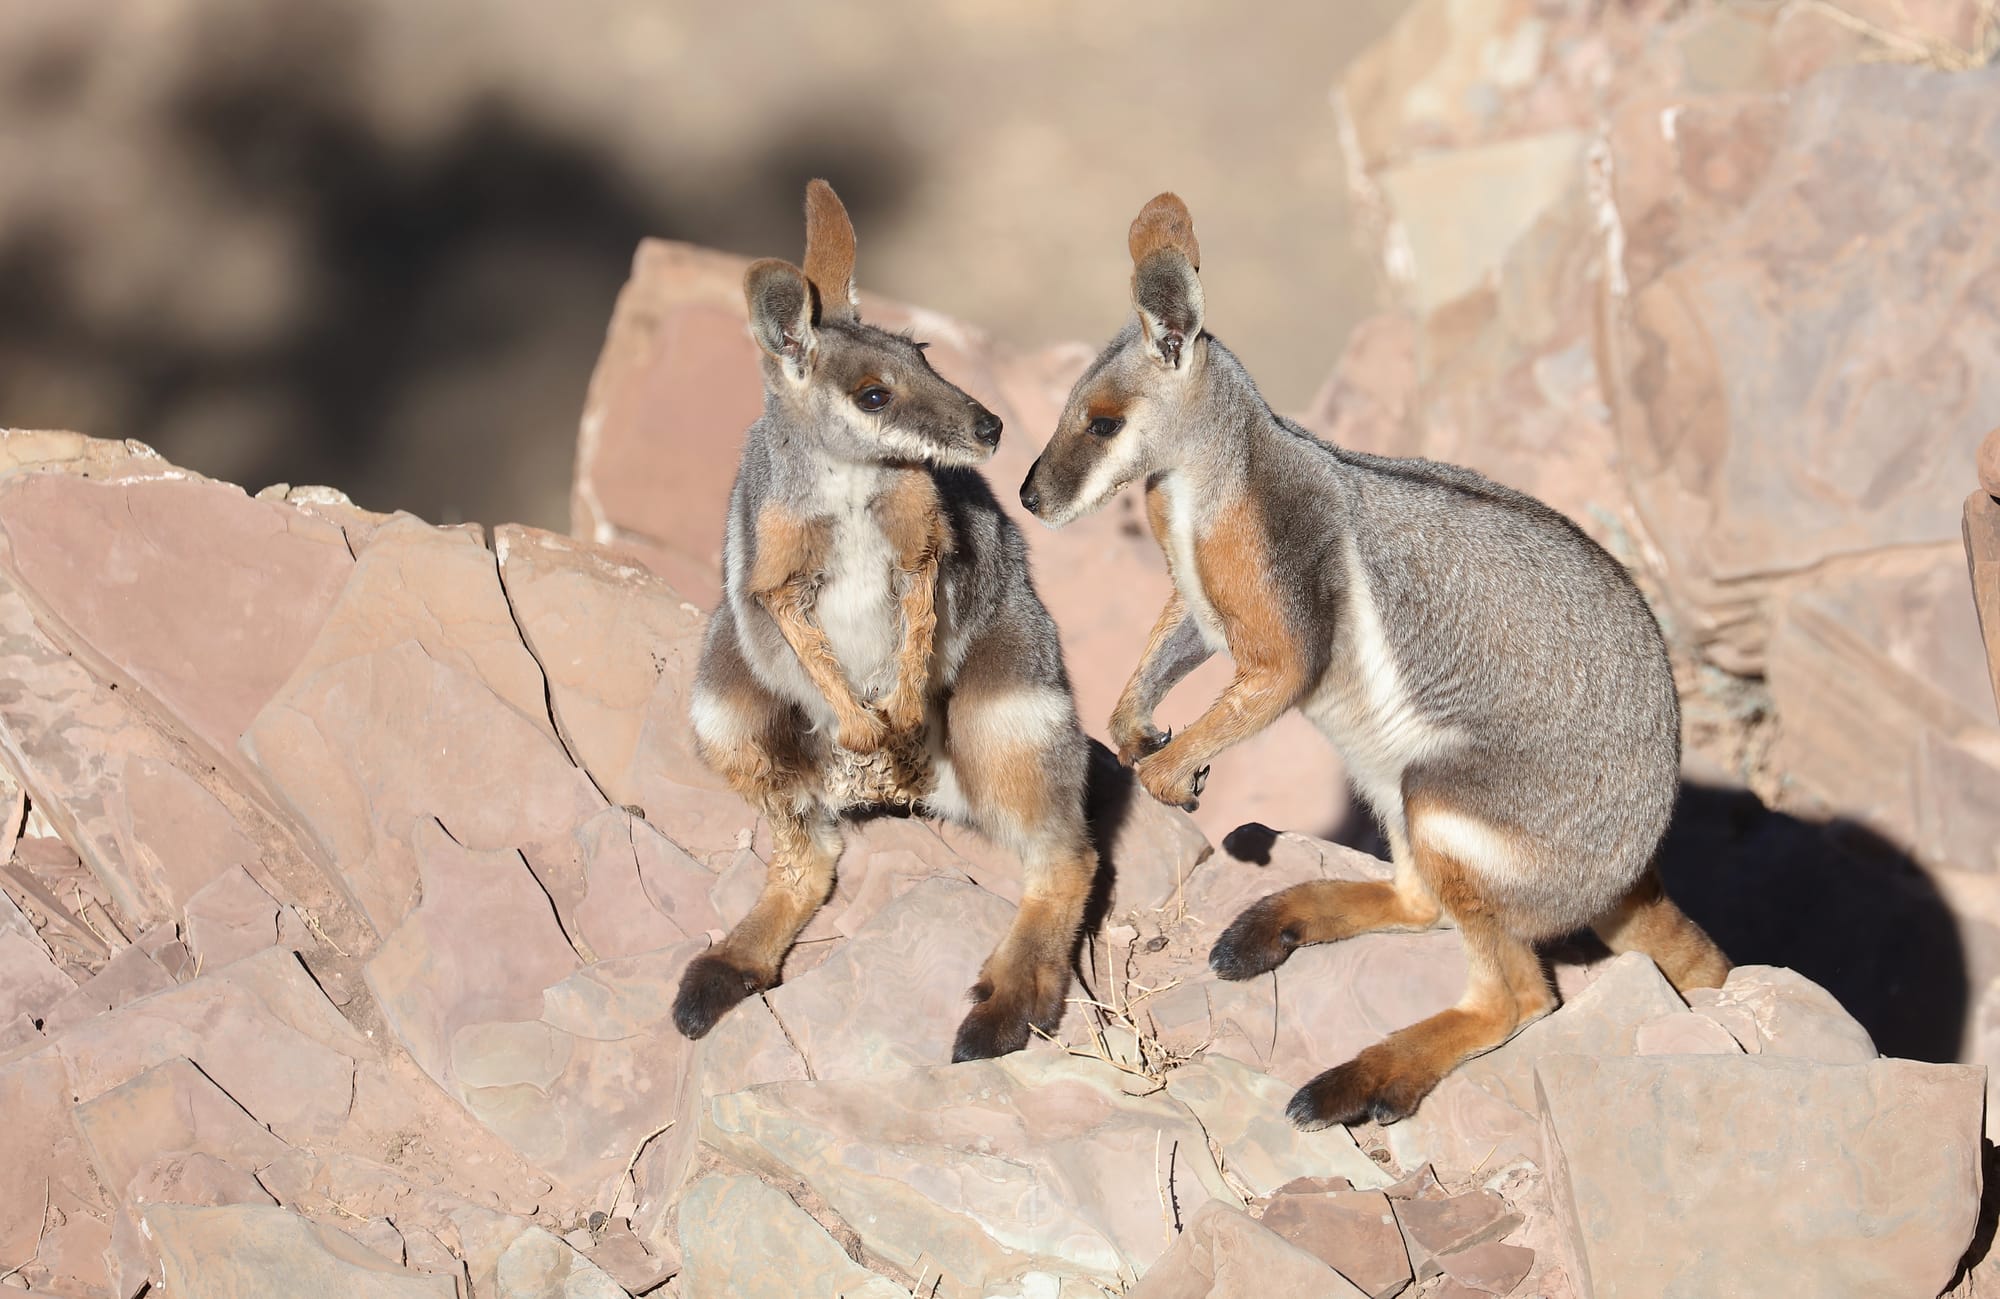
(1493, 678)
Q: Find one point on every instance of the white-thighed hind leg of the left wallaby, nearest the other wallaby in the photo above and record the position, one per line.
(1021, 770)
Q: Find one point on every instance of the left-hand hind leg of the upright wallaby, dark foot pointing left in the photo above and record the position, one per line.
(799, 880)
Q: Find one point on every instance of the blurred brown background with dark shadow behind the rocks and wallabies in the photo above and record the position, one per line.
(375, 245)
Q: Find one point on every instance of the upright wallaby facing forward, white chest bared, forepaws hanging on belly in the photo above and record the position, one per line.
(881, 645)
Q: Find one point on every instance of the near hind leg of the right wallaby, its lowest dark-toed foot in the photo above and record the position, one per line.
(1505, 990)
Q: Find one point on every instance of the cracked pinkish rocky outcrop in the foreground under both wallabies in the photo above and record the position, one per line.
(405, 1014)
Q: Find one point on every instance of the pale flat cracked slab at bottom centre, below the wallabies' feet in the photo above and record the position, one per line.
(1037, 1162)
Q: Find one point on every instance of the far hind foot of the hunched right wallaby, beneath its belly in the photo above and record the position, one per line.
(1325, 912)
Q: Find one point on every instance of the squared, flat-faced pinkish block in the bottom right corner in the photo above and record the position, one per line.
(1763, 1174)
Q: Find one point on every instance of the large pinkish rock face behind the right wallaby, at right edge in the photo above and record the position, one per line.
(1745, 457)
